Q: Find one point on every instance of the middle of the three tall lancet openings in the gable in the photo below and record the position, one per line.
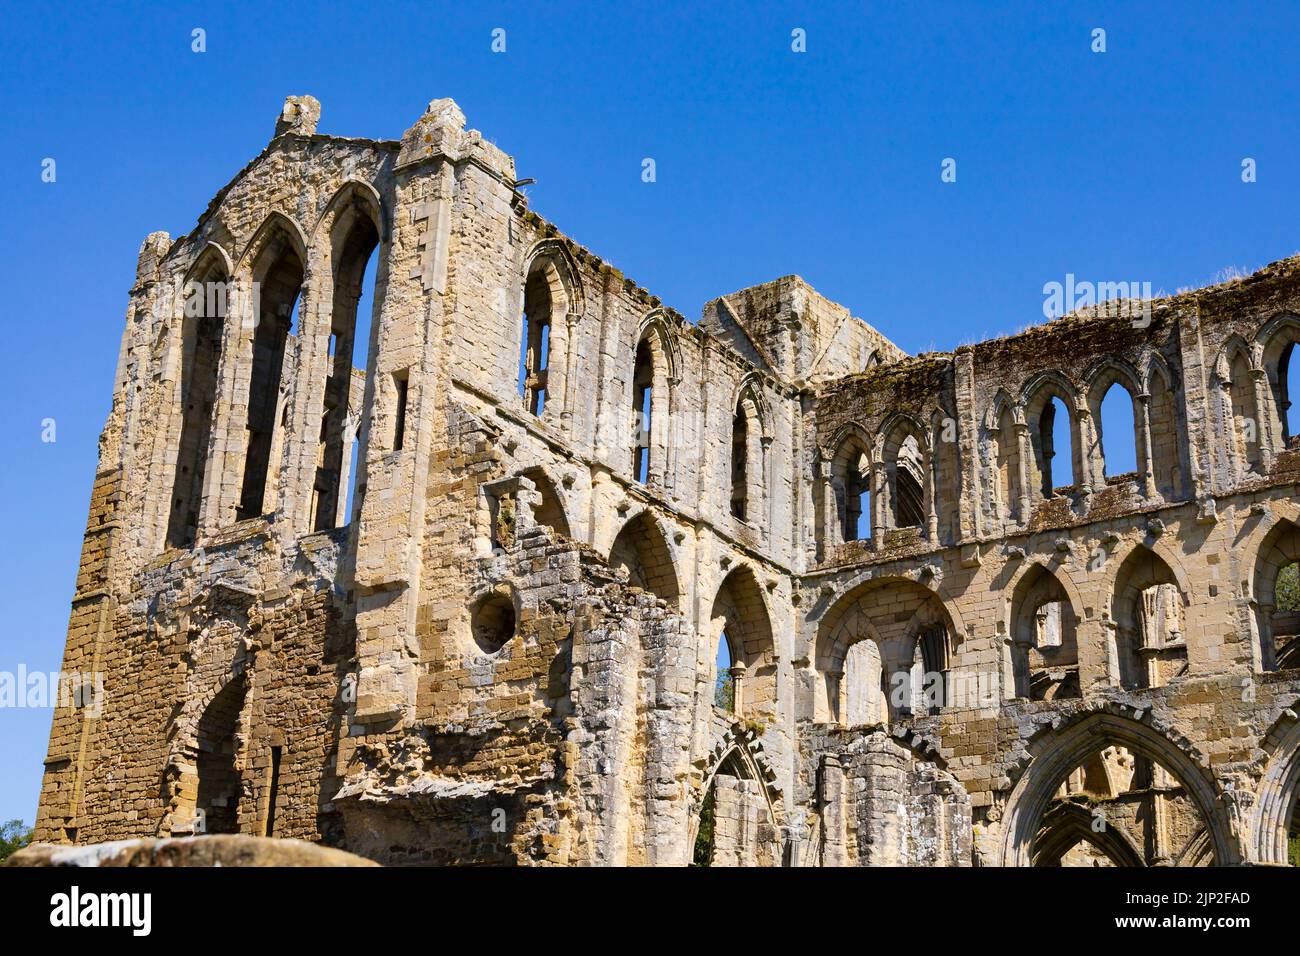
(278, 313)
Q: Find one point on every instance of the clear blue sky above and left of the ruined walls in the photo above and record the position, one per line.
(1117, 166)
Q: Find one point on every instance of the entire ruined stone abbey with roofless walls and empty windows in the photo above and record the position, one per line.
(565, 578)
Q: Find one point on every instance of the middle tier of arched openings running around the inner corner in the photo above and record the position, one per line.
(886, 650)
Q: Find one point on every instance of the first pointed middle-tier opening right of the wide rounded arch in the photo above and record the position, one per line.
(1045, 639)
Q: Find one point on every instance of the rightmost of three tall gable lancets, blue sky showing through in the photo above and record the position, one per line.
(354, 276)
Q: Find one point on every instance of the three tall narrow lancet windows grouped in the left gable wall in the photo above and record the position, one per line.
(248, 361)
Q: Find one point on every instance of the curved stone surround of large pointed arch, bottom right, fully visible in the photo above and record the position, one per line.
(1054, 754)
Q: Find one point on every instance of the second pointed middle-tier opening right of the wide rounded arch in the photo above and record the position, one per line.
(1150, 638)
